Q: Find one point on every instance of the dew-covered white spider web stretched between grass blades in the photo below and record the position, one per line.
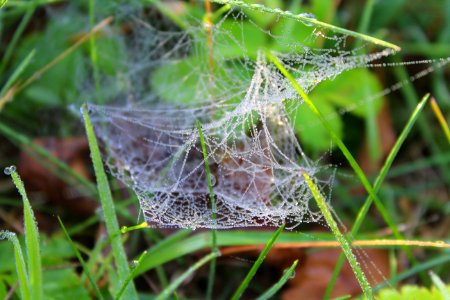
(244, 104)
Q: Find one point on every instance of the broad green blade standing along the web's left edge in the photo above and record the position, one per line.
(112, 224)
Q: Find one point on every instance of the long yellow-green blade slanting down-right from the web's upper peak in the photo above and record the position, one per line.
(359, 172)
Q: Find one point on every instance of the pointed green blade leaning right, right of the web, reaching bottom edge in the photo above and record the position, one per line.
(377, 185)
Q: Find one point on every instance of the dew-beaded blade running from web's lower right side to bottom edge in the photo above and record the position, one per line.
(323, 206)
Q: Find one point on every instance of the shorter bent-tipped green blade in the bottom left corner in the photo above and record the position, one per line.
(24, 283)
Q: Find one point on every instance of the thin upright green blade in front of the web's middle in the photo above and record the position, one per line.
(212, 270)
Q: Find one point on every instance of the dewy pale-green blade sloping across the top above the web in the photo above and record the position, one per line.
(304, 19)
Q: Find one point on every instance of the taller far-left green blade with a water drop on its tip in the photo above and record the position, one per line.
(31, 238)
